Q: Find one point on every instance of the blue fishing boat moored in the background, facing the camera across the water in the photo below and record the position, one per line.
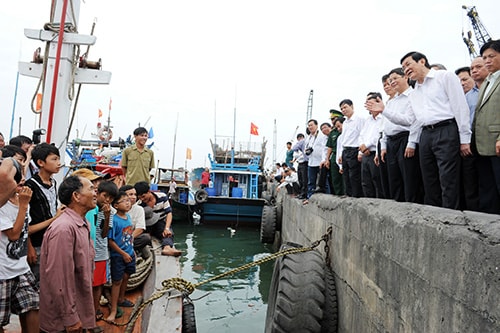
(235, 194)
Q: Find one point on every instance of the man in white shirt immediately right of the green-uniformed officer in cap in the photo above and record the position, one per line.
(350, 148)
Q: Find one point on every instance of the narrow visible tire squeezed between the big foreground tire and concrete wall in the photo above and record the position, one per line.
(329, 323)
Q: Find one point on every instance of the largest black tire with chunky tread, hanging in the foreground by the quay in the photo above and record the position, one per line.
(296, 296)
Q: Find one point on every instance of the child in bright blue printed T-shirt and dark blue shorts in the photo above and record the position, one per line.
(121, 244)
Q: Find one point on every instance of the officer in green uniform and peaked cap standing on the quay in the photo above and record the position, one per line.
(337, 187)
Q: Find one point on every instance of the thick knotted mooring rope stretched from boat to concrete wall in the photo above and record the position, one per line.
(186, 288)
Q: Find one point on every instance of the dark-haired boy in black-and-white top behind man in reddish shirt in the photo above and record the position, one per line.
(43, 204)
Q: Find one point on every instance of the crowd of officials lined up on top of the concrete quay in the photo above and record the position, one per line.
(435, 140)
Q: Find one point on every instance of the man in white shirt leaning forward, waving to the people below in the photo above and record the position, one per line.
(438, 104)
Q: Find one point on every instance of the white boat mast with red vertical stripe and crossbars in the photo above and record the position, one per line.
(61, 68)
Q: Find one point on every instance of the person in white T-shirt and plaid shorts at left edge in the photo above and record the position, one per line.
(18, 290)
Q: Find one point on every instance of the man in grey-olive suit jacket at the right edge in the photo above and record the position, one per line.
(486, 128)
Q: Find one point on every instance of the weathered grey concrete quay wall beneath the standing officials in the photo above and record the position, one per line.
(404, 267)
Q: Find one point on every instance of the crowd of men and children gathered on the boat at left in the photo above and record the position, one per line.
(60, 244)
